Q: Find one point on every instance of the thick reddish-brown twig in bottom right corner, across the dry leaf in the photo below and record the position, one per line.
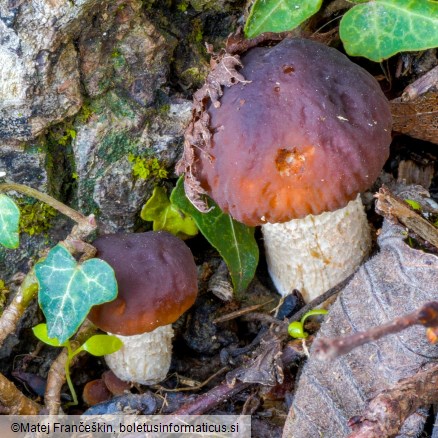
(387, 412)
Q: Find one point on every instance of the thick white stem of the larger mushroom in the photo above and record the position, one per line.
(315, 253)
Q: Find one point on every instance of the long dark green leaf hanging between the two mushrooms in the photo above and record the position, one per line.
(234, 241)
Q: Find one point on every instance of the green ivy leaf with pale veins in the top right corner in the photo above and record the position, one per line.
(382, 28)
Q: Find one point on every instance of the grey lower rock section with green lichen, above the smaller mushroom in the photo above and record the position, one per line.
(103, 147)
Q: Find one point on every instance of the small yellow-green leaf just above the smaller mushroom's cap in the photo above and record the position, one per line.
(167, 217)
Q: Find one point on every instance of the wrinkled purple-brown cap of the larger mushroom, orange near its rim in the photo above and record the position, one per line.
(306, 135)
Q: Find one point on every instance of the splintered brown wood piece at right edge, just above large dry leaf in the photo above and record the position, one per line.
(392, 208)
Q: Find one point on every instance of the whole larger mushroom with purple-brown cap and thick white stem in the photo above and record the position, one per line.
(303, 135)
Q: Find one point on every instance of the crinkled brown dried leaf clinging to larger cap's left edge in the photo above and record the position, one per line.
(197, 137)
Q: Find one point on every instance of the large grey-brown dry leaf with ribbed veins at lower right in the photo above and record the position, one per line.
(397, 280)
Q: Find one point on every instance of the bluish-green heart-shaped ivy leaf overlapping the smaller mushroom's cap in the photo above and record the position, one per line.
(68, 290)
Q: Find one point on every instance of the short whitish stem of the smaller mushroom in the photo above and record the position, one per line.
(144, 358)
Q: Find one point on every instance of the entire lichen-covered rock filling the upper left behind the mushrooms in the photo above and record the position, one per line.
(88, 81)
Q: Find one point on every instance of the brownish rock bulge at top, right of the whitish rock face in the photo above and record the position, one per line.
(125, 50)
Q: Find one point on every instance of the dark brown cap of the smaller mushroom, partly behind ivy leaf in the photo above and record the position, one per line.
(156, 277)
